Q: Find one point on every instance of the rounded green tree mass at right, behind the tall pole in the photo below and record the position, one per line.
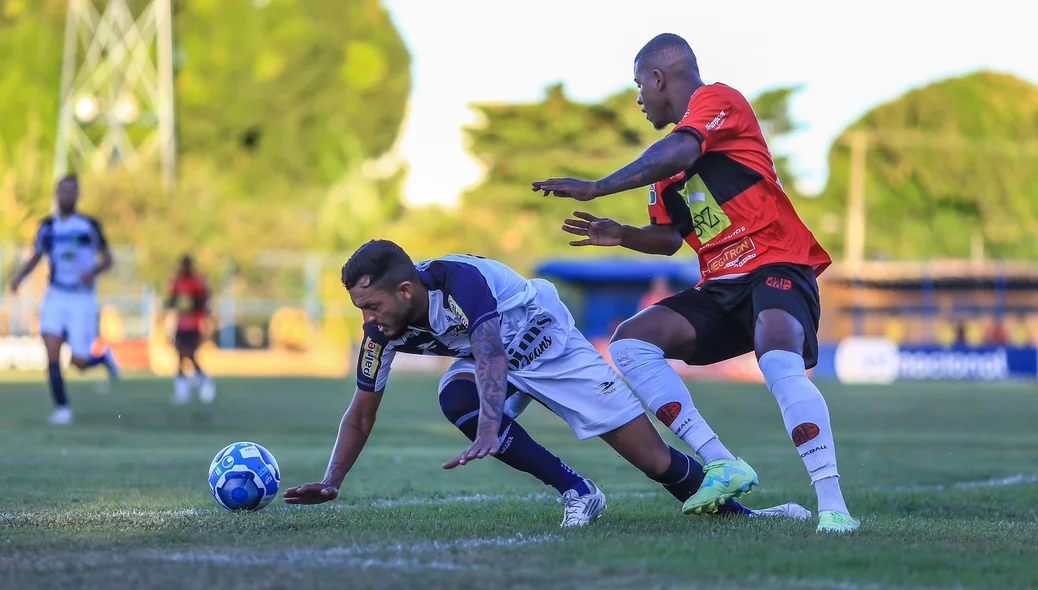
(948, 163)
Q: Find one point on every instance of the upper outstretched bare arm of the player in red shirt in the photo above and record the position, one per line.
(664, 159)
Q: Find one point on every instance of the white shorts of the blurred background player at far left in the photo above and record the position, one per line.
(72, 315)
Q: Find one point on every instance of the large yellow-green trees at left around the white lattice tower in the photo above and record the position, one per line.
(281, 106)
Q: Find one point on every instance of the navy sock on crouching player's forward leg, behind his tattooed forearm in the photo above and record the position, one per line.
(460, 403)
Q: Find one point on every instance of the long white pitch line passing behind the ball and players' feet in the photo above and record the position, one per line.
(31, 518)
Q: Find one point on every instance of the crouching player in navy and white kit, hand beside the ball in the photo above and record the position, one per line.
(510, 336)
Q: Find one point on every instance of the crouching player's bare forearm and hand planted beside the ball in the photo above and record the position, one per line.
(353, 433)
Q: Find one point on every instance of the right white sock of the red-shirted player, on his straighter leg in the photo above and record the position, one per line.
(807, 420)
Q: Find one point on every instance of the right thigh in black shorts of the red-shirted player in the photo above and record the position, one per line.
(786, 311)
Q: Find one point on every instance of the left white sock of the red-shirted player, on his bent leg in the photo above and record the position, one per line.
(663, 391)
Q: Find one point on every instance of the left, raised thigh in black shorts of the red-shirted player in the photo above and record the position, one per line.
(717, 333)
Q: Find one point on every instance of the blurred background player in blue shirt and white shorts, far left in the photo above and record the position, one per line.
(77, 251)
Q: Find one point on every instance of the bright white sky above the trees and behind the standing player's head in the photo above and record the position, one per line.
(850, 57)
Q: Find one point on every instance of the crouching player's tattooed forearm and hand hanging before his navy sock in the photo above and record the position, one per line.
(491, 373)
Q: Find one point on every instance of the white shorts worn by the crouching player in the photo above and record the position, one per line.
(569, 377)
